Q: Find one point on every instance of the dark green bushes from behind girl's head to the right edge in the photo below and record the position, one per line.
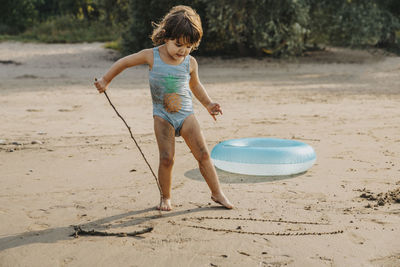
(278, 28)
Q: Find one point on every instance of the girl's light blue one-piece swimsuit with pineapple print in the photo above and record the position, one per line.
(170, 92)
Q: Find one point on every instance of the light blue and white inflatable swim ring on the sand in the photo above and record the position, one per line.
(263, 156)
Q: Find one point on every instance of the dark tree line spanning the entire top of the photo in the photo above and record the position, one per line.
(232, 27)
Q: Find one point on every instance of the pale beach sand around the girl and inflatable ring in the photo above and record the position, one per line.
(66, 159)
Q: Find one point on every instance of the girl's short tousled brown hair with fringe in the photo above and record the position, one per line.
(180, 22)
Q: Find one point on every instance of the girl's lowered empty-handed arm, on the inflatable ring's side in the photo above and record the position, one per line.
(200, 92)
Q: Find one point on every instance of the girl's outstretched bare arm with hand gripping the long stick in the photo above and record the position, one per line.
(143, 57)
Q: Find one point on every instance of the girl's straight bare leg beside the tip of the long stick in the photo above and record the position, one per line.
(165, 135)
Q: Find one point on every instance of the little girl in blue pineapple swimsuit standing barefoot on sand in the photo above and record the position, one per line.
(173, 77)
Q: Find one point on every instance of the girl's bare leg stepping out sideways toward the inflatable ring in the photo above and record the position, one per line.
(194, 138)
